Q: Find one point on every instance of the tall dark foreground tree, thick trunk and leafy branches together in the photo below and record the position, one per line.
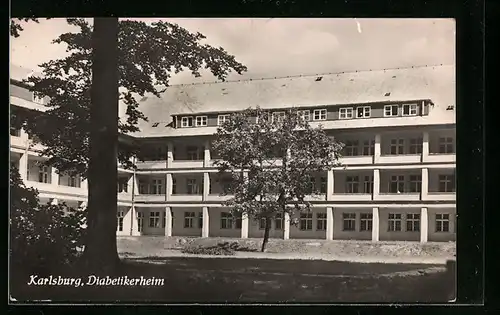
(81, 105)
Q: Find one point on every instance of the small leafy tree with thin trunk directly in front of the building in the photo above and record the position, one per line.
(272, 160)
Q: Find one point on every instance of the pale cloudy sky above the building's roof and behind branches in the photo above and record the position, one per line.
(276, 47)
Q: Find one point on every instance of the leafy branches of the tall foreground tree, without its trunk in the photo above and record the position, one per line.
(148, 56)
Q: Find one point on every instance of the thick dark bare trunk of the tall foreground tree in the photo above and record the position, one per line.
(100, 254)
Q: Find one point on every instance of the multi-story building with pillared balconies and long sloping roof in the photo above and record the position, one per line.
(397, 182)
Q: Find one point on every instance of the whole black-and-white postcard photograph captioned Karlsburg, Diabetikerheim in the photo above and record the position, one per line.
(232, 160)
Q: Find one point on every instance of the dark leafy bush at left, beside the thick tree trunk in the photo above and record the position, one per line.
(43, 237)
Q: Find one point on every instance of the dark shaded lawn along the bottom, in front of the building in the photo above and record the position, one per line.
(223, 280)
